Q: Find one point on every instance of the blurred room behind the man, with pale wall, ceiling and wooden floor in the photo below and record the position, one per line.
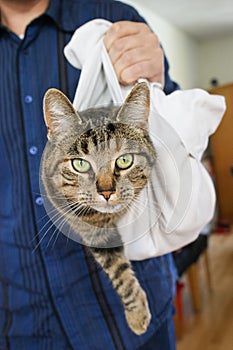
(197, 37)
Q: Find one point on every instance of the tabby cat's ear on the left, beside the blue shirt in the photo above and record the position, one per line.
(58, 112)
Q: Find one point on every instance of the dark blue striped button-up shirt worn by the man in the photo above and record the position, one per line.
(52, 294)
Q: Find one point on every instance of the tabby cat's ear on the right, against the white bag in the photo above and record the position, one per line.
(136, 107)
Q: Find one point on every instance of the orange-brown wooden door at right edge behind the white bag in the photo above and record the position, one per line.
(222, 149)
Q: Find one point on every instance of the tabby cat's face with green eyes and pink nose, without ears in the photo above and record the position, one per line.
(106, 174)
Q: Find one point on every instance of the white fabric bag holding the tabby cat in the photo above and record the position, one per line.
(180, 198)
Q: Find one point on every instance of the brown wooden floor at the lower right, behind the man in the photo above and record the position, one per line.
(212, 327)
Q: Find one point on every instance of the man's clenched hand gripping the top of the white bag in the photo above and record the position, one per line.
(135, 52)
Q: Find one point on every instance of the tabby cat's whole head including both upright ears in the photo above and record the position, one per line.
(100, 158)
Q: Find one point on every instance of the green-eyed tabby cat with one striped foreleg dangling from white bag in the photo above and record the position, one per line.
(94, 166)
